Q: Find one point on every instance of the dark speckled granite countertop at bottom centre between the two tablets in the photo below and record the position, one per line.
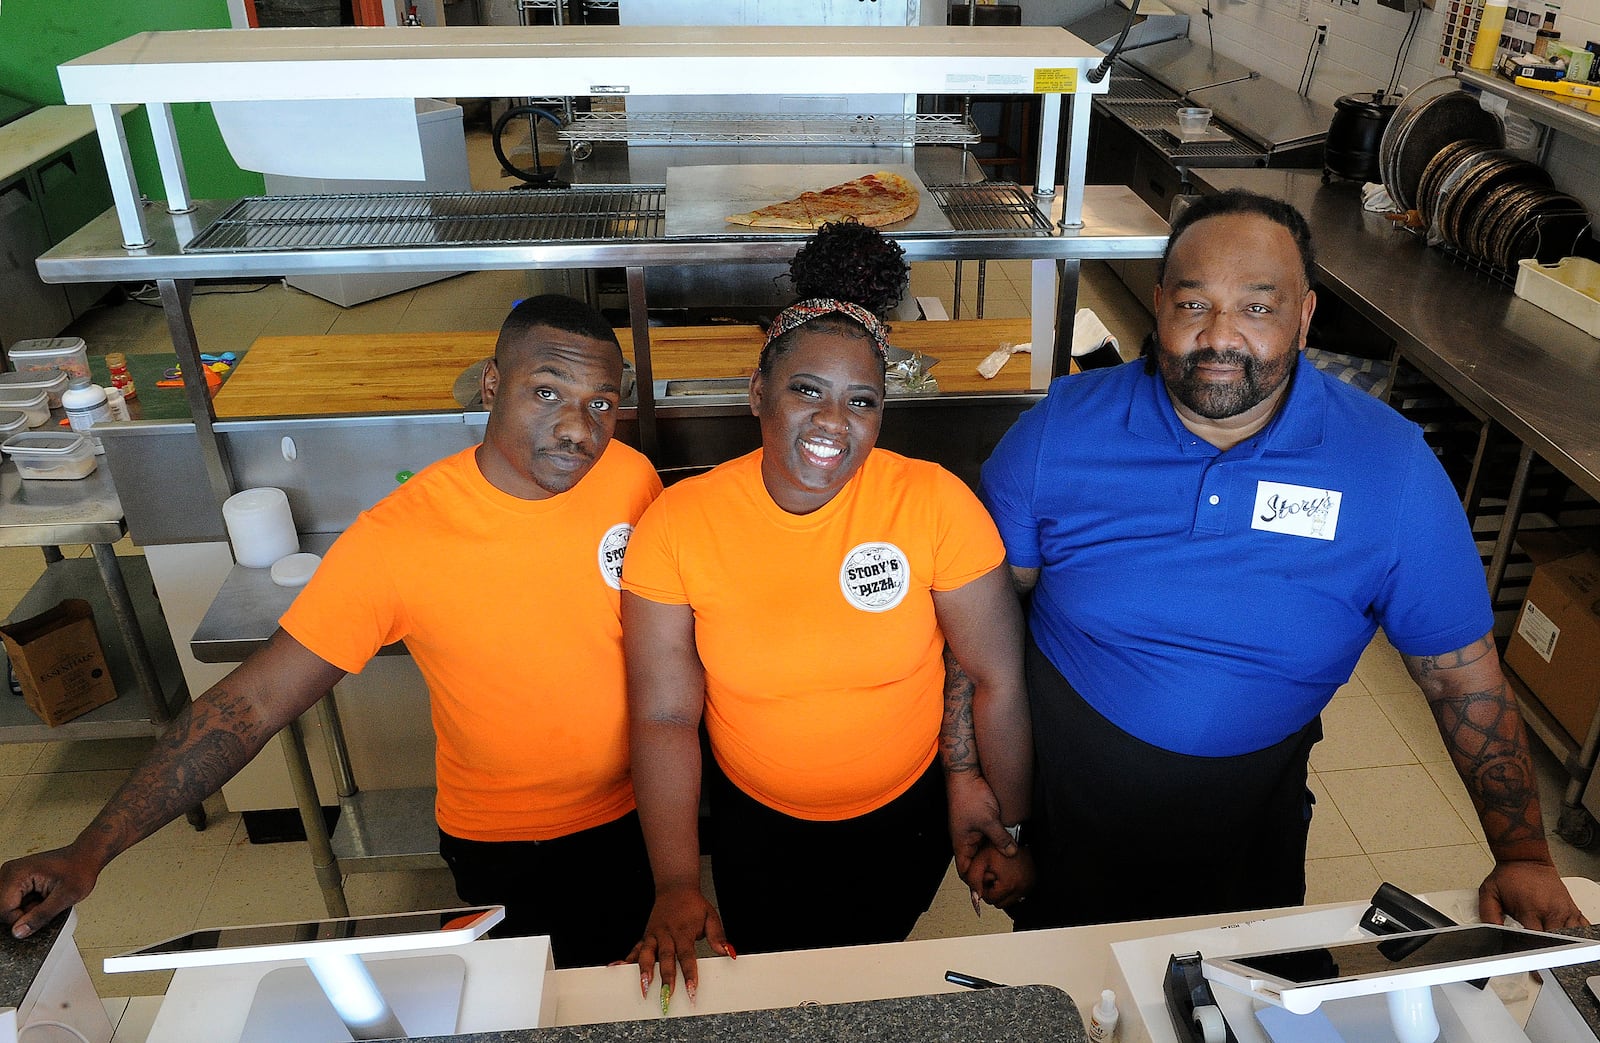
(1022, 1015)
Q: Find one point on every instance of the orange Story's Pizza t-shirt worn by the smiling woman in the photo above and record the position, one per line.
(825, 673)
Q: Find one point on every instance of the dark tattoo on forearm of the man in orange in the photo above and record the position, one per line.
(199, 751)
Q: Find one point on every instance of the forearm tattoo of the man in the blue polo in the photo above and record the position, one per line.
(1487, 741)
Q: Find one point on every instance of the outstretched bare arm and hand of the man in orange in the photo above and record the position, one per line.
(202, 748)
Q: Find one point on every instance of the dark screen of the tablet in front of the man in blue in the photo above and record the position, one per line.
(1401, 953)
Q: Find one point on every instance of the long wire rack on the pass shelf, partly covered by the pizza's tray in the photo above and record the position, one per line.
(577, 215)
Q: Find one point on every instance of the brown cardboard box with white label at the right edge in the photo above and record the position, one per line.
(1556, 647)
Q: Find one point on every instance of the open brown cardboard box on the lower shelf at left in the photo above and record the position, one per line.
(60, 663)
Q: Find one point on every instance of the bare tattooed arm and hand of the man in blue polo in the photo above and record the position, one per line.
(1484, 733)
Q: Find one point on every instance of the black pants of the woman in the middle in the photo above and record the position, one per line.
(793, 884)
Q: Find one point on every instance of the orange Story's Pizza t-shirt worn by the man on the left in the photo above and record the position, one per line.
(513, 613)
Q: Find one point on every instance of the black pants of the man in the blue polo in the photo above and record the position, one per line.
(1129, 831)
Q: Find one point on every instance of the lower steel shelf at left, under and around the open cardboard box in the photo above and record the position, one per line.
(129, 714)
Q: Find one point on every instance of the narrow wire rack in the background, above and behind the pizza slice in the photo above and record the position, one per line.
(812, 129)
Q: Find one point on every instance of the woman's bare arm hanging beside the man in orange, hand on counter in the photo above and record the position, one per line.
(666, 697)
